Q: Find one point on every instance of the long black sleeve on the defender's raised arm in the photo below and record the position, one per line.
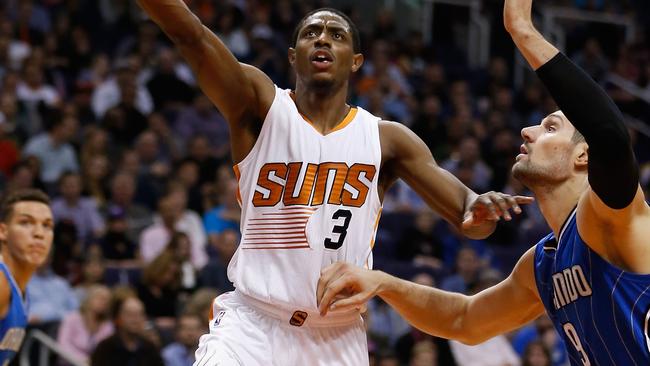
(613, 171)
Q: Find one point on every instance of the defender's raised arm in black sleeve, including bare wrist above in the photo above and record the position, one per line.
(613, 172)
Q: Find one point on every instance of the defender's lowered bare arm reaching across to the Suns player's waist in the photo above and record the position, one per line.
(469, 319)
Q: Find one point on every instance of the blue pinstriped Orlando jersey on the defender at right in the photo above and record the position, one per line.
(601, 312)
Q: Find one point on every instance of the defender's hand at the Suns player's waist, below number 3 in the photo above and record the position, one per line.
(343, 286)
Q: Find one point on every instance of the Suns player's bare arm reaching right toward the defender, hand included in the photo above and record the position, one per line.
(406, 156)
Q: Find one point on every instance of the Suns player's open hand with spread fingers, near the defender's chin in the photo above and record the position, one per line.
(492, 206)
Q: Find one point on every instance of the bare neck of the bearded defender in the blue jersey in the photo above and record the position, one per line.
(557, 204)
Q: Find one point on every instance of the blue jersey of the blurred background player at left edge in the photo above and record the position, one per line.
(12, 326)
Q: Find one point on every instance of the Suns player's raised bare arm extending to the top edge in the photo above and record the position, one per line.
(242, 93)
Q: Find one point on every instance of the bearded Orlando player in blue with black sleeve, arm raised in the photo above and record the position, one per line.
(592, 273)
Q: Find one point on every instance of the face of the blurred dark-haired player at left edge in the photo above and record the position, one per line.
(28, 233)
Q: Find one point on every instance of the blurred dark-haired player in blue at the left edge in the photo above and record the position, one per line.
(26, 232)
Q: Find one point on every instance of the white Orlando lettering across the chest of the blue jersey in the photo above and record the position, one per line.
(569, 285)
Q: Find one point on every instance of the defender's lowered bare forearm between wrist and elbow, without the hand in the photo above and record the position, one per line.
(433, 311)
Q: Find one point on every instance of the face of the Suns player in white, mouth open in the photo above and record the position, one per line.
(324, 53)
